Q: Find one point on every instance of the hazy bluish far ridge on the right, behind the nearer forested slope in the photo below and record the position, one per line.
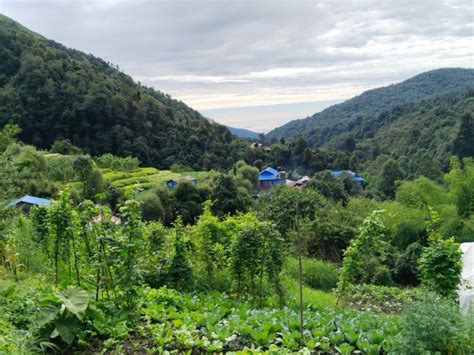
(357, 114)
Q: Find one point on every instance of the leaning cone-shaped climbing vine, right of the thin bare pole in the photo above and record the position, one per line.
(365, 259)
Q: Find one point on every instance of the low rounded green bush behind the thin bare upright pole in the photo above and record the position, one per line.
(317, 274)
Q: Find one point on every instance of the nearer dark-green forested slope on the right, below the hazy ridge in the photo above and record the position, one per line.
(421, 136)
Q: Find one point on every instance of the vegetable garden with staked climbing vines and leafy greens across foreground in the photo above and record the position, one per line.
(73, 282)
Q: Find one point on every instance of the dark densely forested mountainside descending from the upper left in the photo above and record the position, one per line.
(54, 92)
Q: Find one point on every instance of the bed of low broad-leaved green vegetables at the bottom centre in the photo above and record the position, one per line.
(218, 324)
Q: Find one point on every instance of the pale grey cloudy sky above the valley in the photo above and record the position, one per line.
(259, 64)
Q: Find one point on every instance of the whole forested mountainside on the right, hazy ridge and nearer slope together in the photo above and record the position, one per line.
(419, 132)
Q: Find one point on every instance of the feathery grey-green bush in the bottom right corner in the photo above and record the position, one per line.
(434, 324)
